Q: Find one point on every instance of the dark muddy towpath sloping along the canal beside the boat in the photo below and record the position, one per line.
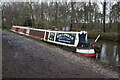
(26, 58)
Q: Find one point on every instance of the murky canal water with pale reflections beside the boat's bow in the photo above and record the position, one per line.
(109, 52)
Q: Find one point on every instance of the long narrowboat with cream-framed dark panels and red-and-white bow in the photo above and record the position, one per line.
(76, 39)
